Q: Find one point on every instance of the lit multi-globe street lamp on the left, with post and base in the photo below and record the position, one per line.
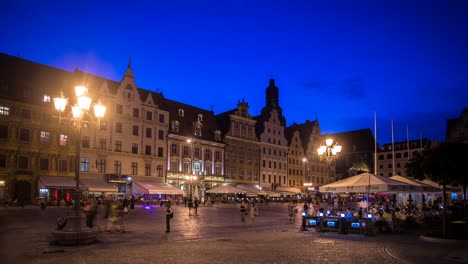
(75, 232)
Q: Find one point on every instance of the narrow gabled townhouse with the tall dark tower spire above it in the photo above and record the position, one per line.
(273, 144)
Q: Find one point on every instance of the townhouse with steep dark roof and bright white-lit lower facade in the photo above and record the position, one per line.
(195, 149)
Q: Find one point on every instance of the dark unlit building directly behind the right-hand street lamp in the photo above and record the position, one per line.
(357, 152)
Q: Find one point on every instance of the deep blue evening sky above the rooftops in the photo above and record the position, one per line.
(338, 60)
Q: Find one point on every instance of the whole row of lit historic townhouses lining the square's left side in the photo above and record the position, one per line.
(143, 137)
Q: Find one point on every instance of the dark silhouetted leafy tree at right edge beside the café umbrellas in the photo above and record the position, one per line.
(446, 164)
